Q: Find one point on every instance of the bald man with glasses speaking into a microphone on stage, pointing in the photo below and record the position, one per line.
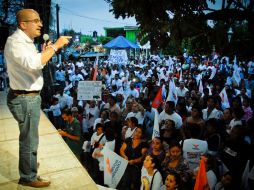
(24, 66)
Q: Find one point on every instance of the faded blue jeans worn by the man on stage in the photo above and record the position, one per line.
(26, 111)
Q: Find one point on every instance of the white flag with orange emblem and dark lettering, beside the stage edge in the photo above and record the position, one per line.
(114, 167)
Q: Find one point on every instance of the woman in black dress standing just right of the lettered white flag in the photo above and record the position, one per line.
(133, 150)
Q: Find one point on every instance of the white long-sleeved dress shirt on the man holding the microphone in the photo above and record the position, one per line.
(23, 62)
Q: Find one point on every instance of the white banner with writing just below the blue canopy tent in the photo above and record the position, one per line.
(118, 57)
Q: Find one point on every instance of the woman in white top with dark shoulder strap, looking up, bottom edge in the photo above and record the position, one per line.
(151, 178)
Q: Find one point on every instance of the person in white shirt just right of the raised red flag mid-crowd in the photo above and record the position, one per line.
(169, 113)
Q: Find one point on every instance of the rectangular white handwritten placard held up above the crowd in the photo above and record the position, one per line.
(89, 90)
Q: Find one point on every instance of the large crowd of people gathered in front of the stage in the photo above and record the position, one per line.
(201, 121)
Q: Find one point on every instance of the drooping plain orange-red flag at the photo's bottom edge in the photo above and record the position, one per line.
(201, 179)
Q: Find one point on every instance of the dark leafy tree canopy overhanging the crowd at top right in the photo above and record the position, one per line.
(169, 21)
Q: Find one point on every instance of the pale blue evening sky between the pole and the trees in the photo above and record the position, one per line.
(86, 16)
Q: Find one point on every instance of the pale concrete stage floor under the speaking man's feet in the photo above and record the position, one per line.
(57, 163)
